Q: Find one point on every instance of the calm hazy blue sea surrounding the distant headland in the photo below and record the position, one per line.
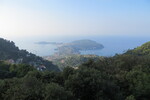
(112, 44)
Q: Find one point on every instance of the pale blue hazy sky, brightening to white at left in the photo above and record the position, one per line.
(25, 18)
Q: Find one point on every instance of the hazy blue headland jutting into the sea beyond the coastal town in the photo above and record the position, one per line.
(76, 46)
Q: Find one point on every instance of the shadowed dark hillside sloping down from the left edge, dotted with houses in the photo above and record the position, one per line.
(12, 54)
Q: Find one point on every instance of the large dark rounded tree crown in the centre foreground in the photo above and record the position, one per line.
(91, 84)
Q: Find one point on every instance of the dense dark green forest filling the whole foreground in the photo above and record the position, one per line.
(122, 77)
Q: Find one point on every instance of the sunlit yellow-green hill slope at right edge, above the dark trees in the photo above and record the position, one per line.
(141, 50)
